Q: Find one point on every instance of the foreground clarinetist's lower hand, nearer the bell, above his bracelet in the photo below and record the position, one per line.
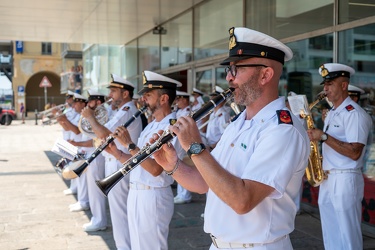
(166, 156)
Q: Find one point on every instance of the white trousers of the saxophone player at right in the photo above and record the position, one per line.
(340, 206)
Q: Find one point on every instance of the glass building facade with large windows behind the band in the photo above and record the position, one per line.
(190, 47)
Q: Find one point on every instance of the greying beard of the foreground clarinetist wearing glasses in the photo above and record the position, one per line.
(249, 91)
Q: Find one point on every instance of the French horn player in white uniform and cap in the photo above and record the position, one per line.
(95, 171)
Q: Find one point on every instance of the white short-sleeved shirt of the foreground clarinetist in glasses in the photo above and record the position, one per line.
(265, 151)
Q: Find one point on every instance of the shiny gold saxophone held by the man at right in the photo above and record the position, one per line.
(314, 172)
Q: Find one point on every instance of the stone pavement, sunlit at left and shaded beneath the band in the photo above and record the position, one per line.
(34, 212)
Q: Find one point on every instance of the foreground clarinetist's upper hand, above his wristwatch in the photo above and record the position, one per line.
(187, 131)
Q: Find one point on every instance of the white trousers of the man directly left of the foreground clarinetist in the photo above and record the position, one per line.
(150, 212)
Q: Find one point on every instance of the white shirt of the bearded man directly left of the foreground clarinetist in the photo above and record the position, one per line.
(140, 175)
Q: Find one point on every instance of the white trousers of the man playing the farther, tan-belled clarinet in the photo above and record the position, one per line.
(117, 199)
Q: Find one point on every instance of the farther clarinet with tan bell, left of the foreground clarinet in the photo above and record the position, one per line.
(98, 150)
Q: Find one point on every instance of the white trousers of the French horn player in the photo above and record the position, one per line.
(95, 171)
